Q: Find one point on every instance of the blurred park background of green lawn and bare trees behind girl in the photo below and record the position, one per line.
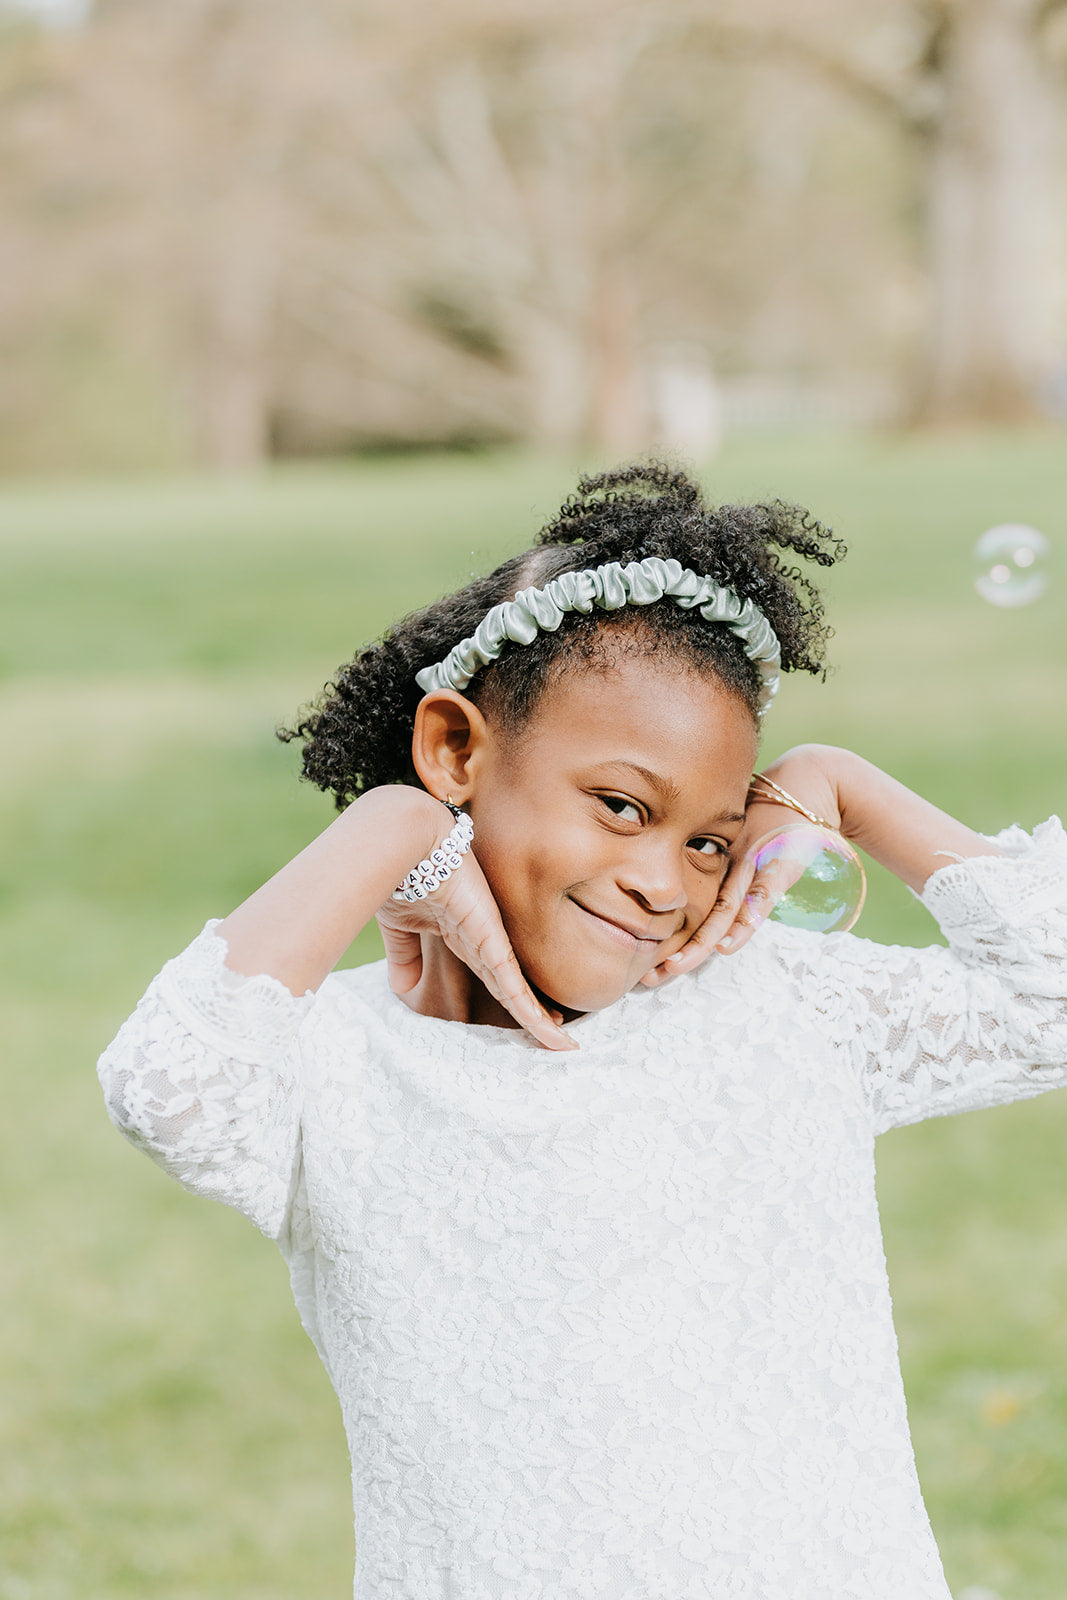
(306, 313)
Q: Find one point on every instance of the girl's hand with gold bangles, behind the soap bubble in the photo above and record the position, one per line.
(746, 898)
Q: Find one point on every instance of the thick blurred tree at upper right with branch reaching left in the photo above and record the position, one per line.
(973, 86)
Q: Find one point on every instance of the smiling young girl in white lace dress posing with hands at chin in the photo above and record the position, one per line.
(580, 1214)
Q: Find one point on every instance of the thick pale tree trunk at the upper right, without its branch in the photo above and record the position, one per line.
(989, 188)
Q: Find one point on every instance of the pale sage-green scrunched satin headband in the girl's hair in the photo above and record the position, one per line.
(610, 588)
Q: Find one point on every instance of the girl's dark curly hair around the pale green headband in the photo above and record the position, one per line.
(359, 734)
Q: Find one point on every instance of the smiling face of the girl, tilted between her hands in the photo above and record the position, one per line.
(604, 833)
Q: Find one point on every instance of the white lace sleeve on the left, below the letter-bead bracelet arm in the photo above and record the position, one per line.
(202, 1079)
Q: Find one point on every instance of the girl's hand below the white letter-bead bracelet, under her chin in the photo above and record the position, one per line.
(463, 914)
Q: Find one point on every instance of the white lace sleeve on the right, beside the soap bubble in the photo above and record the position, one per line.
(983, 1022)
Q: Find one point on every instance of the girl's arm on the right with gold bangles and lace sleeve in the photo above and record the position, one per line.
(935, 1031)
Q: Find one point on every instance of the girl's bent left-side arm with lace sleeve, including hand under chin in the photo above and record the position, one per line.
(206, 1076)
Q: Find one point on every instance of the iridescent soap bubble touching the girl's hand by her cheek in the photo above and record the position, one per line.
(815, 874)
